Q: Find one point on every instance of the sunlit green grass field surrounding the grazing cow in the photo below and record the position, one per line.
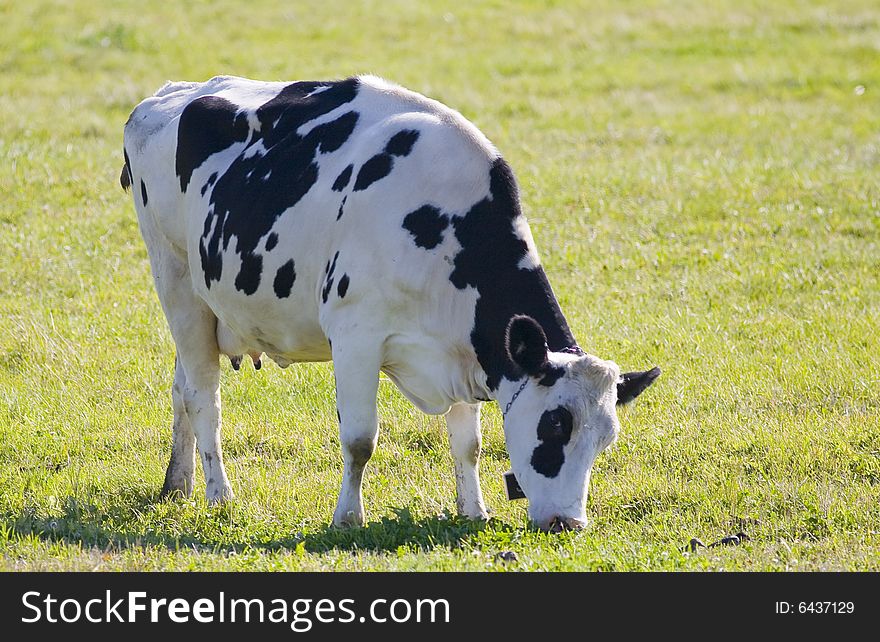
(701, 180)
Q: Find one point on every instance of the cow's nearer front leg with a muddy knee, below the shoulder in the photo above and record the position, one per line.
(357, 381)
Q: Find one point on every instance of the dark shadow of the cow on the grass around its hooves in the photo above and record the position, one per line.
(106, 529)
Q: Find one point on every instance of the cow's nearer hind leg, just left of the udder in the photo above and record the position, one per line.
(194, 329)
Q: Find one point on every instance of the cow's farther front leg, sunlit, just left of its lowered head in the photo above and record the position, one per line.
(463, 425)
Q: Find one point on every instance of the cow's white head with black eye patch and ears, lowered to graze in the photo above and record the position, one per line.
(561, 415)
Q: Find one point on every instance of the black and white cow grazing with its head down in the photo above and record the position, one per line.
(361, 222)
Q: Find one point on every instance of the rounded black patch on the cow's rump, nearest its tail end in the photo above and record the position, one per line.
(207, 125)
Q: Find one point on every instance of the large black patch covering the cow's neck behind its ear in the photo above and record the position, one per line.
(489, 261)
